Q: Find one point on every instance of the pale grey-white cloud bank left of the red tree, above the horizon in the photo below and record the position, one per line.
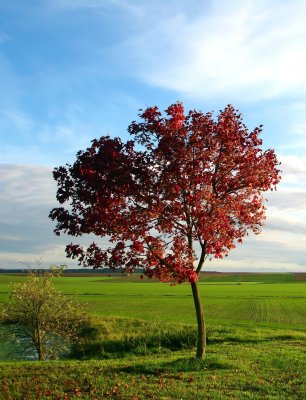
(26, 232)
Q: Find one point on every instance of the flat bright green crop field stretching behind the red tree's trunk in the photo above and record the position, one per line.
(231, 299)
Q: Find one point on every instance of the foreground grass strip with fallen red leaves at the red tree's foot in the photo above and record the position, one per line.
(267, 370)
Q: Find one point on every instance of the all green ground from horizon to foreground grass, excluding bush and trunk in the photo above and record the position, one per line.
(256, 341)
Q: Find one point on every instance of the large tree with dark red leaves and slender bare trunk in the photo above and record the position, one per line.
(185, 189)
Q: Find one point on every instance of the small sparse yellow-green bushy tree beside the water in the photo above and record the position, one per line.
(43, 321)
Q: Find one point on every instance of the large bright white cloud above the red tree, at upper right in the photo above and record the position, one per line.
(250, 50)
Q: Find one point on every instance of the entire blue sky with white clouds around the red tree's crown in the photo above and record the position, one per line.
(74, 70)
